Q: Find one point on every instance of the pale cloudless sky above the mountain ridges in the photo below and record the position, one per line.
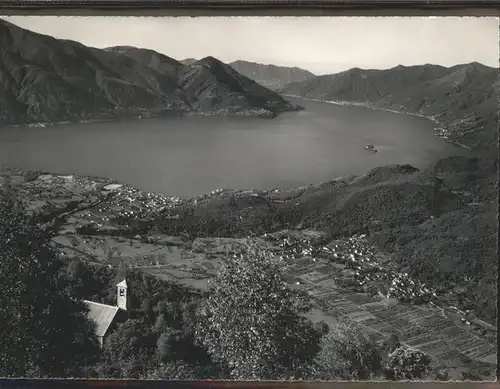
(321, 45)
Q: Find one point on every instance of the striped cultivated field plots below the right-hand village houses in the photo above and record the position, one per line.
(427, 328)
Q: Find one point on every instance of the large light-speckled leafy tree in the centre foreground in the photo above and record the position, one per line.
(252, 322)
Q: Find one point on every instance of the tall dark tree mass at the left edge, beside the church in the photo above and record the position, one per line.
(45, 332)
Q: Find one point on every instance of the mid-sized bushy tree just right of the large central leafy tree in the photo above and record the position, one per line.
(347, 354)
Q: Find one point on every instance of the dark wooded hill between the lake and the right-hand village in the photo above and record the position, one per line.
(437, 224)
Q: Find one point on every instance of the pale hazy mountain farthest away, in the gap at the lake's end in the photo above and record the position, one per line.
(271, 76)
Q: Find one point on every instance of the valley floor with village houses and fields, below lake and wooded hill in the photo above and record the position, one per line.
(346, 278)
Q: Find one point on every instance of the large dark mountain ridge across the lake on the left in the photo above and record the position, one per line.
(44, 79)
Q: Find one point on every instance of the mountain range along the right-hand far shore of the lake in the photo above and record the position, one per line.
(462, 98)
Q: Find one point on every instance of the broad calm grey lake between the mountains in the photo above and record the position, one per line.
(194, 155)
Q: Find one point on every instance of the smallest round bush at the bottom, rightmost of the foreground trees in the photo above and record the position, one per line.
(407, 363)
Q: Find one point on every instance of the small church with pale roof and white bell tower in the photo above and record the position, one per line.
(106, 317)
